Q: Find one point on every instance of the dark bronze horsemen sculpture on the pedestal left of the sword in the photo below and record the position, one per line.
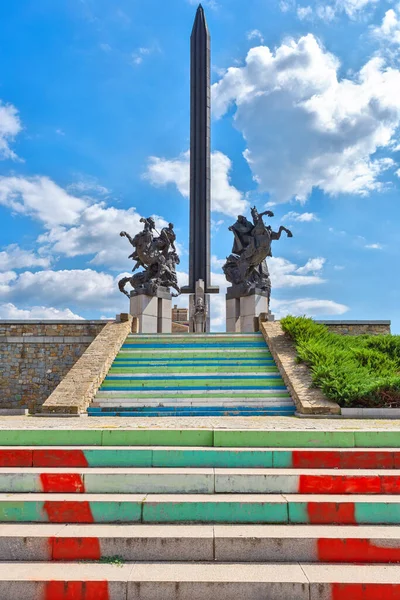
(157, 256)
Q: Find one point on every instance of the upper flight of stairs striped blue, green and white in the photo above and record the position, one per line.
(189, 375)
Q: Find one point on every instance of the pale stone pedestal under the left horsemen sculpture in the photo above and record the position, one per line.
(153, 313)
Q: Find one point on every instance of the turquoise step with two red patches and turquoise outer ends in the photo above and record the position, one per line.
(200, 508)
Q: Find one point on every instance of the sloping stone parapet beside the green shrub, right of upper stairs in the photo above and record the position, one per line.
(297, 376)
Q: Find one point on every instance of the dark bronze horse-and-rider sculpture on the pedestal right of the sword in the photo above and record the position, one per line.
(246, 268)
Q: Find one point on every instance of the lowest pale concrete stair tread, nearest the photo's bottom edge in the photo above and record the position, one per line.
(201, 572)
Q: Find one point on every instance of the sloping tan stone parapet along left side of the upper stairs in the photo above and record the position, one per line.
(79, 386)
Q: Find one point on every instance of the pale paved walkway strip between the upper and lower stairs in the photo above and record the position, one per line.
(267, 423)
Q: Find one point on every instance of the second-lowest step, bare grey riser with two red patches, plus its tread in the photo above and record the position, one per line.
(202, 543)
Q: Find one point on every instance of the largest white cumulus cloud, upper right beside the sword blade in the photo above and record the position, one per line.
(305, 126)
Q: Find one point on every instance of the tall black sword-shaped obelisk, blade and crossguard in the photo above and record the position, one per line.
(200, 151)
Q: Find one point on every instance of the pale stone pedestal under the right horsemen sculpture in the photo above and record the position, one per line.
(242, 312)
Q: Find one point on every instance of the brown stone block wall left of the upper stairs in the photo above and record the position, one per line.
(36, 355)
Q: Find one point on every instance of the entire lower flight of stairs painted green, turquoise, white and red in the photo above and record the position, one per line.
(152, 514)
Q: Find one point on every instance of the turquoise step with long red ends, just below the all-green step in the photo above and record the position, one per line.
(154, 456)
